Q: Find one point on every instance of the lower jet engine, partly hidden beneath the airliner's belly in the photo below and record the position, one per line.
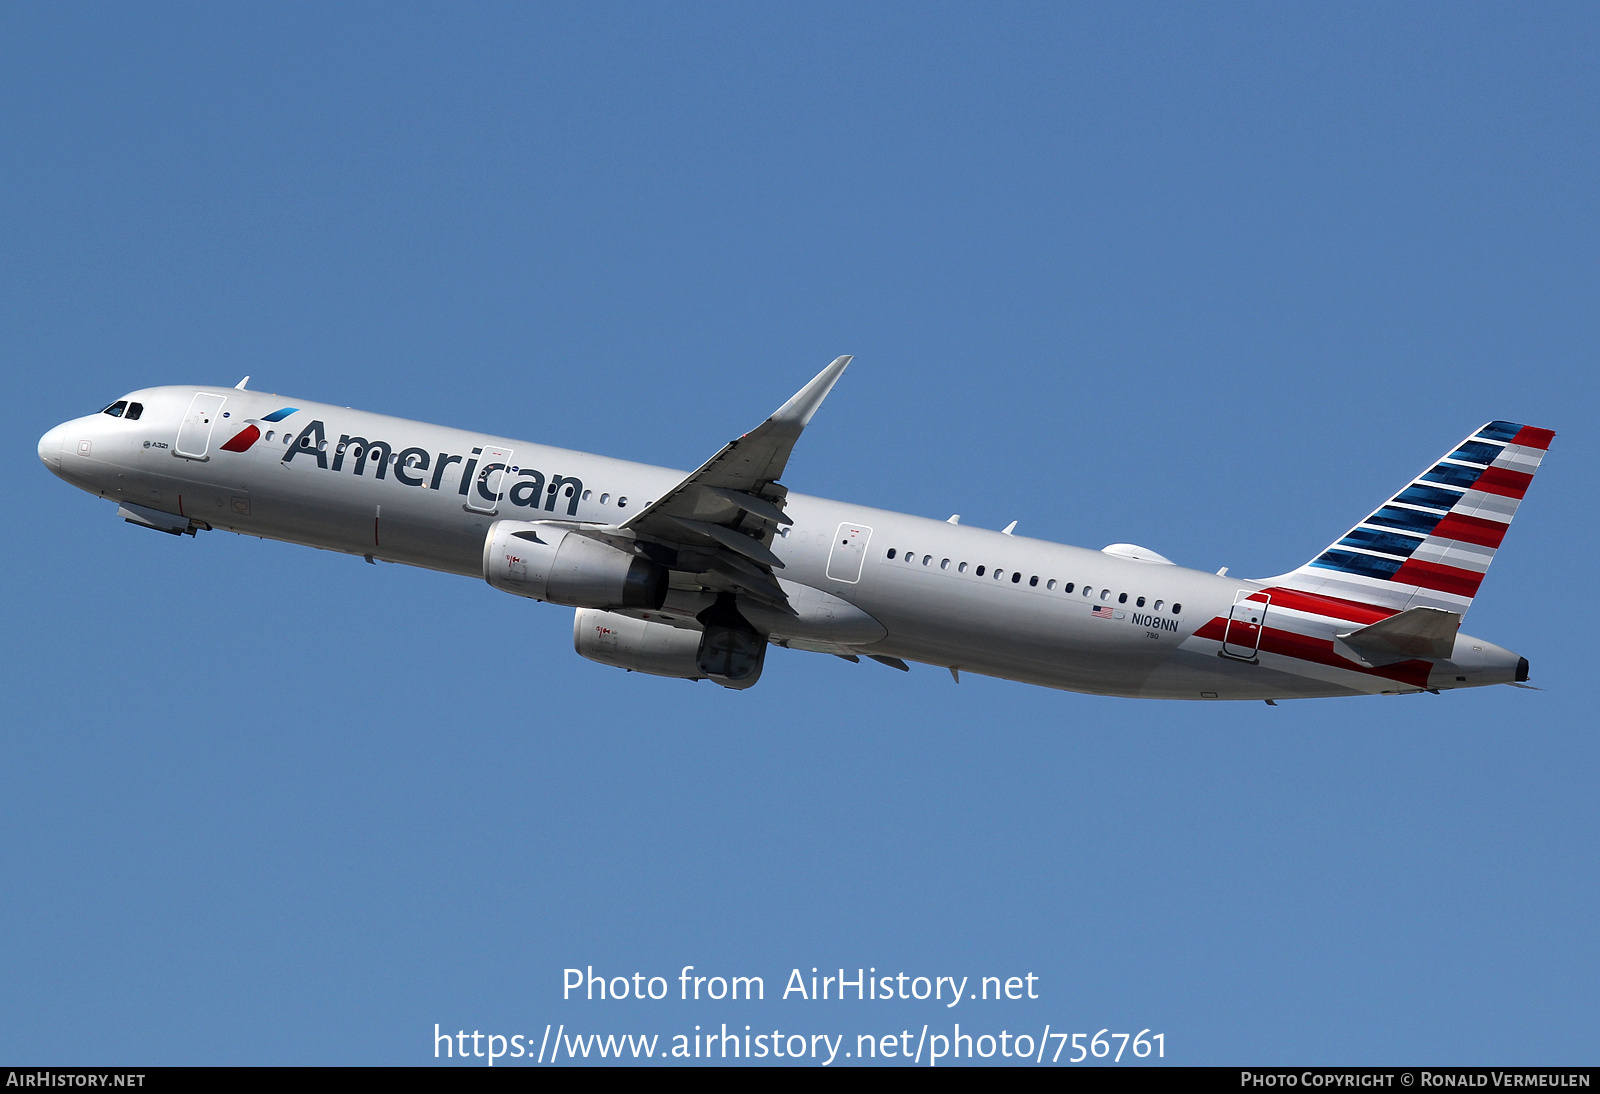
(729, 657)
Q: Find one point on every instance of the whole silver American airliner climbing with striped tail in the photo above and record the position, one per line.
(695, 577)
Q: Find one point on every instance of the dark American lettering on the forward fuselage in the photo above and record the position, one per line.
(426, 471)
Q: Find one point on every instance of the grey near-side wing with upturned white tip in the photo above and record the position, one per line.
(722, 519)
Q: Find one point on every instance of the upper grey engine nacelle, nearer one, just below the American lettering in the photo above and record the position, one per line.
(532, 559)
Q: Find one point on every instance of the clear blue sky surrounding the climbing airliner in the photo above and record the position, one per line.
(1214, 281)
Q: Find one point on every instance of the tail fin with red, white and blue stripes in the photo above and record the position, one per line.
(1431, 545)
